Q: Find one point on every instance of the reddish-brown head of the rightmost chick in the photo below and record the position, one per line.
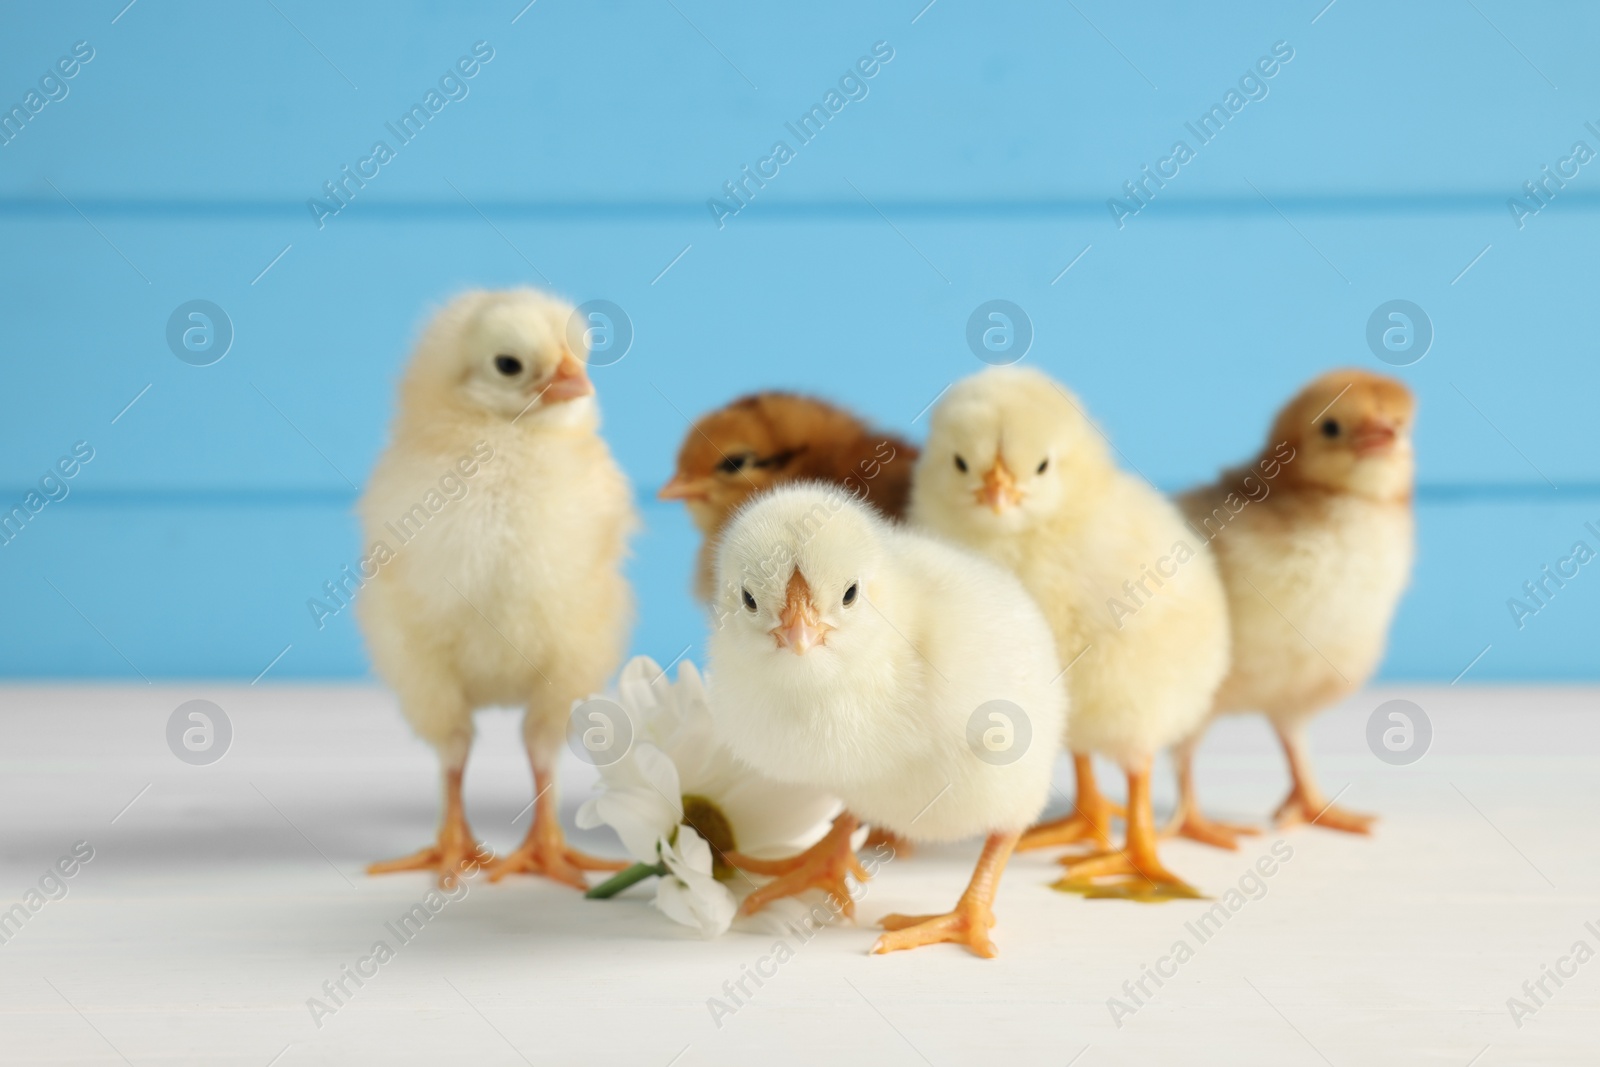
(1351, 433)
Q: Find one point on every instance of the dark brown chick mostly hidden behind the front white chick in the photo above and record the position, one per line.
(770, 439)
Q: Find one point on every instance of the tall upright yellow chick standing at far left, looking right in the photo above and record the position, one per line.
(498, 524)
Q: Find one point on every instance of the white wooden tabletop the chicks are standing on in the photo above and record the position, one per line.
(220, 898)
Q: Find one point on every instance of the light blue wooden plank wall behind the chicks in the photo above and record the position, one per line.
(978, 166)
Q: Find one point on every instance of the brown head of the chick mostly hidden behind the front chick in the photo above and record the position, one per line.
(750, 447)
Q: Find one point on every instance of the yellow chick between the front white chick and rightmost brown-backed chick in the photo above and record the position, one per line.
(1017, 471)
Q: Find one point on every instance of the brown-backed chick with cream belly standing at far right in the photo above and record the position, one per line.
(1314, 540)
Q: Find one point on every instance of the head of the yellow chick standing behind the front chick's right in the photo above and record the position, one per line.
(1009, 450)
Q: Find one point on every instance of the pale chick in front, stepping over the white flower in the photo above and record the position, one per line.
(911, 679)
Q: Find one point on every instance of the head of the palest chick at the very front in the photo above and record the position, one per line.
(798, 570)
